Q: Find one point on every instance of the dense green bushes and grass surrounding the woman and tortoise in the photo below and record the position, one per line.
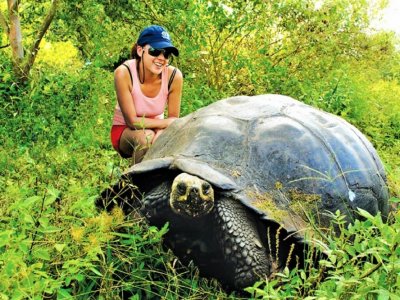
(55, 154)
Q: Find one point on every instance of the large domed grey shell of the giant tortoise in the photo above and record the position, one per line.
(286, 160)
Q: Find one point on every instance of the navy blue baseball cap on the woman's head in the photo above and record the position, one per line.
(157, 37)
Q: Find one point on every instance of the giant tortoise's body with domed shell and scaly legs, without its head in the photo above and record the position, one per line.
(265, 156)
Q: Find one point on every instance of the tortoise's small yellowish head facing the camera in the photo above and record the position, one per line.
(191, 196)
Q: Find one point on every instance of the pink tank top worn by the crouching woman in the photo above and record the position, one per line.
(145, 106)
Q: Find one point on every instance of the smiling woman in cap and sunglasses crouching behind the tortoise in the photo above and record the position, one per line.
(145, 86)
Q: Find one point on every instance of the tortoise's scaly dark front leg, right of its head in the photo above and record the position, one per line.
(246, 257)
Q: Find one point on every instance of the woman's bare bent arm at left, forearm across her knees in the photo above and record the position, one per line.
(123, 88)
